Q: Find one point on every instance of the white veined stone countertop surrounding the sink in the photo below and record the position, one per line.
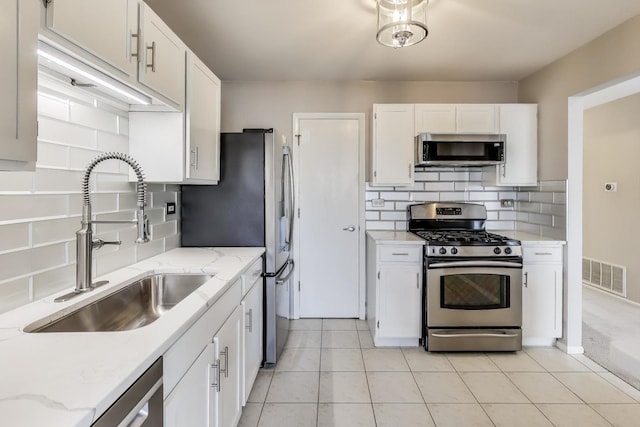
(69, 379)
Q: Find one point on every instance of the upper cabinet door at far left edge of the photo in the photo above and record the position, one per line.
(19, 67)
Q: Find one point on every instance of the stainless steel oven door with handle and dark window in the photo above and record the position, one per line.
(474, 294)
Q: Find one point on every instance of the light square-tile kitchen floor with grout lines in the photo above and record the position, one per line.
(330, 375)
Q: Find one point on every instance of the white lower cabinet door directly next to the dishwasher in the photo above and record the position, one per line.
(193, 401)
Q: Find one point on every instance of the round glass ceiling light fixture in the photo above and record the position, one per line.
(402, 22)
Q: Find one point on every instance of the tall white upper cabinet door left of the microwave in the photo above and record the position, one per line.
(393, 144)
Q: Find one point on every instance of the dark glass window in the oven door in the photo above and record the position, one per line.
(474, 291)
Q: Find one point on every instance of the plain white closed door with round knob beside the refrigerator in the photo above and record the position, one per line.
(330, 187)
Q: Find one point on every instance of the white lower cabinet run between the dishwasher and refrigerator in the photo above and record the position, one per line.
(208, 372)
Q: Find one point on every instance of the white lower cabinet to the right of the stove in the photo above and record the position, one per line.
(541, 294)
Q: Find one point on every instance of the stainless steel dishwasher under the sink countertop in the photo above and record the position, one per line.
(140, 405)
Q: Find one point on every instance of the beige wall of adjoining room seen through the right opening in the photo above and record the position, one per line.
(611, 153)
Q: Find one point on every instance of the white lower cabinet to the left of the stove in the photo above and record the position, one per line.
(394, 292)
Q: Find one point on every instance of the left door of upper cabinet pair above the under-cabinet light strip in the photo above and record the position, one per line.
(105, 29)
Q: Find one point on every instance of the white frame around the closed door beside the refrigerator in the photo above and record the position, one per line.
(360, 117)
